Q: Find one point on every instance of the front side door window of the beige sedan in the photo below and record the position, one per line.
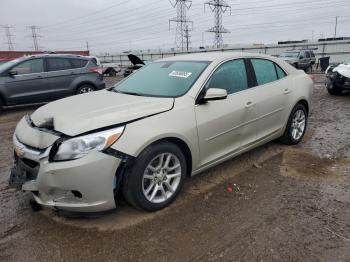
(231, 76)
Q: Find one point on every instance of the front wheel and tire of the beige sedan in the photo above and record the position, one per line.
(145, 186)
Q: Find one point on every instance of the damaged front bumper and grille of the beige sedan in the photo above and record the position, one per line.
(87, 184)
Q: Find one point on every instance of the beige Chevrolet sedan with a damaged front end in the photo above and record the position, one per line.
(171, 119)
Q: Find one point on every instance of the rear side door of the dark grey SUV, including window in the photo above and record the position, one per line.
(60, 76)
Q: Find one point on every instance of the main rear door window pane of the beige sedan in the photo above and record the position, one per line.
(265, 71)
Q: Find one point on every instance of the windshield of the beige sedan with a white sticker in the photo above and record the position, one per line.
(162, 79)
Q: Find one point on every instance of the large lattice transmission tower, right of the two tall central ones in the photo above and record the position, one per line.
(218, 7)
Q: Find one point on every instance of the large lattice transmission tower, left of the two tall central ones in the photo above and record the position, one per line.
(182, 22)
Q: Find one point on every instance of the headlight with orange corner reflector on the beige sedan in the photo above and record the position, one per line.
(78, 147)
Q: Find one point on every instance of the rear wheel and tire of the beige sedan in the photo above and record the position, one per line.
(296, 126)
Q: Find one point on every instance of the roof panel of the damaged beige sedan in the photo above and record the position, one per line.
(213, 56)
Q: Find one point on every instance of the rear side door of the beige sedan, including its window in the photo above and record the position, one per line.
(272, 95)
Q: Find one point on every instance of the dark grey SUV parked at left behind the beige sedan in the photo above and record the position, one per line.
(44, 78)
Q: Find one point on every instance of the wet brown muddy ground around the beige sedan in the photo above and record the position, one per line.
(275, 203)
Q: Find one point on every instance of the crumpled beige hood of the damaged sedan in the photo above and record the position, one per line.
(82, 113)
